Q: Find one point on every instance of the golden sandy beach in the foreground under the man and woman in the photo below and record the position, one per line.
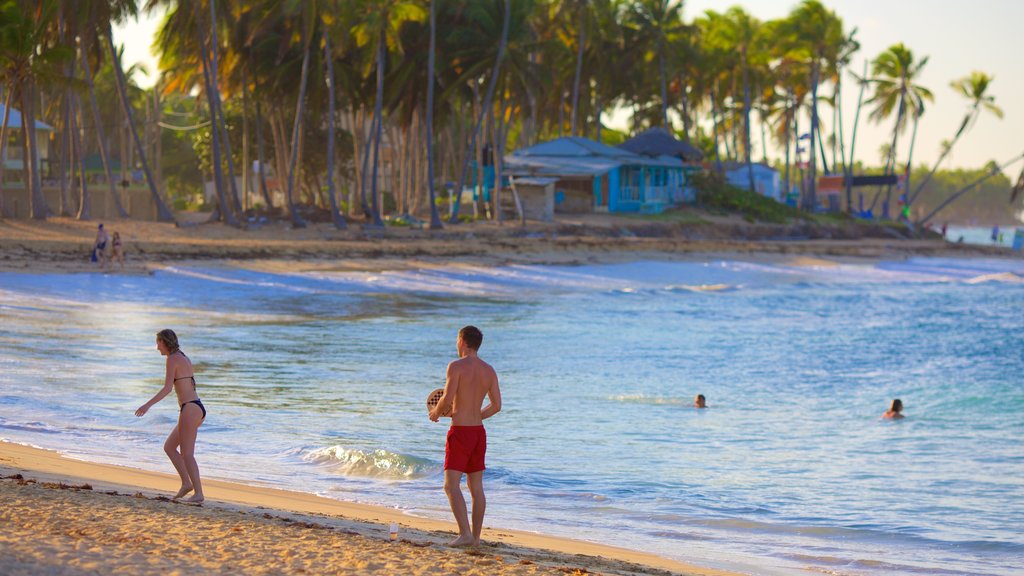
(69, 517)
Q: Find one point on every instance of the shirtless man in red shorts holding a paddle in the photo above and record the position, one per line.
(468, 382)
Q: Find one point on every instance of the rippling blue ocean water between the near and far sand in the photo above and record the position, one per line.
(317, 383)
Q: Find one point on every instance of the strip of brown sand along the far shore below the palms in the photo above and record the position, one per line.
(63, 245)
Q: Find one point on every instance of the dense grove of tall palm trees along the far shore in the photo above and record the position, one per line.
(330, 97)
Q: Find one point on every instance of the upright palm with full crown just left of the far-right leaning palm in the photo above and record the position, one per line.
(895, 72)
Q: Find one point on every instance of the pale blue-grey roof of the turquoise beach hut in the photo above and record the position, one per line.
(573, 156)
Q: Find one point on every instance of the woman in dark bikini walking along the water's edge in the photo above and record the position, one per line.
(181, 377)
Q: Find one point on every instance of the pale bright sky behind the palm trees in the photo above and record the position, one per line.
(958, 36)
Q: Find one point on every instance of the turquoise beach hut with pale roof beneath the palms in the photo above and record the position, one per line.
(588, 177)
